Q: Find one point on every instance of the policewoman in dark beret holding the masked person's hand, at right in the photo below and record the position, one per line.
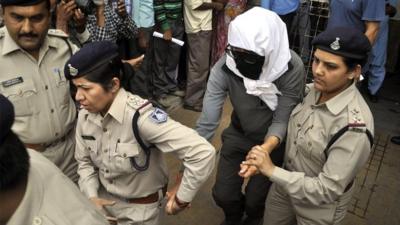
(330, 135)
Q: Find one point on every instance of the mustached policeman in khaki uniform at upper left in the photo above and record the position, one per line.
(32, 78)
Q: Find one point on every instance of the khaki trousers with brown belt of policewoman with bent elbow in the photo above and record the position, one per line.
(134, 214)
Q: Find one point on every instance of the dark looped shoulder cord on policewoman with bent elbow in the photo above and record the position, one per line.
(145, 148)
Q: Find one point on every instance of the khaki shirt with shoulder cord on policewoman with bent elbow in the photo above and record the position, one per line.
(105, 144)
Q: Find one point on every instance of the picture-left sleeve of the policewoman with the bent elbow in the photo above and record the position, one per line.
(88, 175)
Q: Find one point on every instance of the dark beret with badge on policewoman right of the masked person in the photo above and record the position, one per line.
(344, 41)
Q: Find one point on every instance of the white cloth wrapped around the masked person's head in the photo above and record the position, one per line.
(263, 32)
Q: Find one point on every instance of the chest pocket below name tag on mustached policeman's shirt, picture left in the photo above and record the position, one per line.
(23, 96)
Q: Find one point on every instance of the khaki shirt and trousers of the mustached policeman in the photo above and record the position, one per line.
(44, 110)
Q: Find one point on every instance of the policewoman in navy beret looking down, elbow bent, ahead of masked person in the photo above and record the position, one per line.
(118, 171)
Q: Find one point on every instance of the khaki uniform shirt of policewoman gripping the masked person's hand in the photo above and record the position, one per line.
(315, 178)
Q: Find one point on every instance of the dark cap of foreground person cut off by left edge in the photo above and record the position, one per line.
(6, 117)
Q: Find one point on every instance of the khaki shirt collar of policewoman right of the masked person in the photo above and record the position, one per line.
(336, 104)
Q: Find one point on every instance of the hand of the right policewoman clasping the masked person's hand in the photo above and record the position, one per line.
(260, 158)
